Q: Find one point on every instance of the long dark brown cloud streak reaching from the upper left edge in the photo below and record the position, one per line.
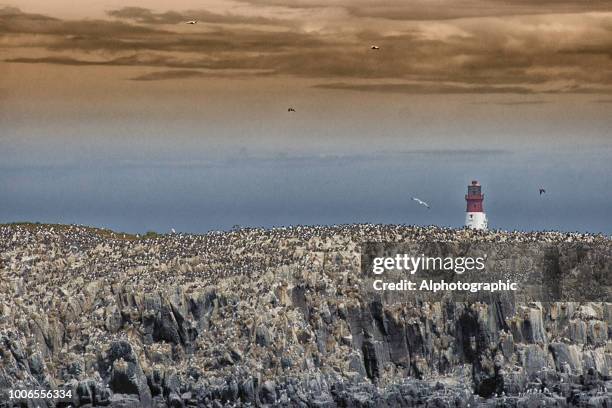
(101, 35)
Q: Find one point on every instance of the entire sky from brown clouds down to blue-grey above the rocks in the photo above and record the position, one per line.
(96, 85)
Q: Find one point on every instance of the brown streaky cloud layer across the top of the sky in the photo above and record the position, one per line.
(432, 46)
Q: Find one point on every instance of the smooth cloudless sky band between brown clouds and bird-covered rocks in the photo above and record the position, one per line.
(204, 155)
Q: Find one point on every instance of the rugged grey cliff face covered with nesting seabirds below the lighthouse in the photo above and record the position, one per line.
(281, 317)
